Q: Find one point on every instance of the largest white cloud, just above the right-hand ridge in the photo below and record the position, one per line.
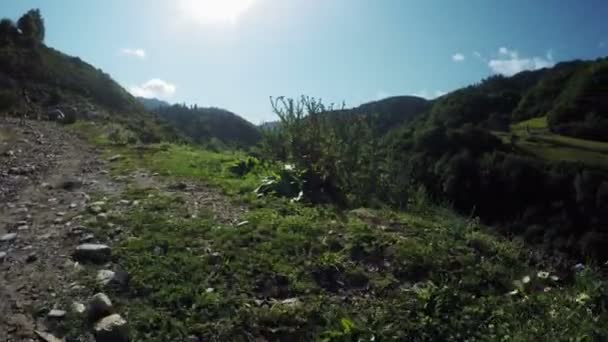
(509, 63)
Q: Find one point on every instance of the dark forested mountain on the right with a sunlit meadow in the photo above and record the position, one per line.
(527, 153)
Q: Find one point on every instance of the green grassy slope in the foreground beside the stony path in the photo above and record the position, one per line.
(301, 273)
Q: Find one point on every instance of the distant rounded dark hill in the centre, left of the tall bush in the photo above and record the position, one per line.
(209, 125)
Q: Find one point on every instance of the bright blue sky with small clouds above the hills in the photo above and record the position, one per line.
(235, 54)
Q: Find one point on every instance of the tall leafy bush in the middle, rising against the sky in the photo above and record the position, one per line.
(338, 155)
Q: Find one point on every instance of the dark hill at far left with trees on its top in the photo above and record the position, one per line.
(53, 79)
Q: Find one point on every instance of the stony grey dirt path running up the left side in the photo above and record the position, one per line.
(46, 176)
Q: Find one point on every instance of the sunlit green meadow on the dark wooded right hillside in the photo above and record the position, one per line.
(535, 138)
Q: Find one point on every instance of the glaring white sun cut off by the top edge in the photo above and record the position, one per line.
(214, 11)
